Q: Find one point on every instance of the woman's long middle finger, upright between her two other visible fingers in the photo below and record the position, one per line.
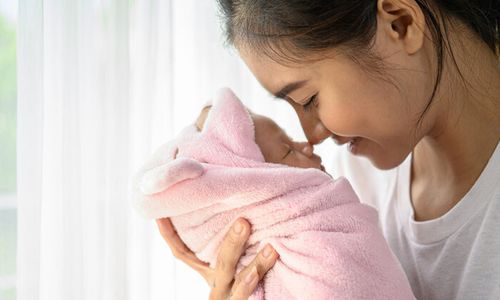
(230, 252)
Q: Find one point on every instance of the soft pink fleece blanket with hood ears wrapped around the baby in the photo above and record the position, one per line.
(329, 244)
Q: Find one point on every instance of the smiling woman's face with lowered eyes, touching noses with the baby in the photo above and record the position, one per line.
(375, 114)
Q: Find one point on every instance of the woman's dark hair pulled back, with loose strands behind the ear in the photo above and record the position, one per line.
(287, 29)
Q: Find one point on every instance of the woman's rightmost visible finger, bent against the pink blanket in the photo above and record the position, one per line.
(263, 262)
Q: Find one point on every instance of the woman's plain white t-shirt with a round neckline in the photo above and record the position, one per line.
(456, 256)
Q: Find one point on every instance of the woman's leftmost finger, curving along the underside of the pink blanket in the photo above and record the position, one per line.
(180, 250)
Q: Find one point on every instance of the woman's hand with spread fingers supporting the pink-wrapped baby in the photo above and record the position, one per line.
(224, 283)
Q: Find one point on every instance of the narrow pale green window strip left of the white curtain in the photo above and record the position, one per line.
(8, 217)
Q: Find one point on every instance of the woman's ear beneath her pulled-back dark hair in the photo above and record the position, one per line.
(404, 22)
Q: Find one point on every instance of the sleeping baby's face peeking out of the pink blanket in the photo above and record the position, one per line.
(278, 148)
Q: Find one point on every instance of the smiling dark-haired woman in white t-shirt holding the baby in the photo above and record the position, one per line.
(411, 85)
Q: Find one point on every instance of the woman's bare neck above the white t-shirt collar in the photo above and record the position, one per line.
(465, 132)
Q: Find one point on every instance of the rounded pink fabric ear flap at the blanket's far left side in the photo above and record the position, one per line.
(162, 177)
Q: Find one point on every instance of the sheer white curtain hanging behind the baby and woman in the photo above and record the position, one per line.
(101, 84)
